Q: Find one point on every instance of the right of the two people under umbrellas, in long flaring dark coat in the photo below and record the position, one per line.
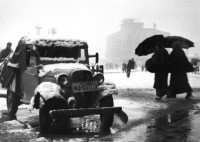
(179, 66)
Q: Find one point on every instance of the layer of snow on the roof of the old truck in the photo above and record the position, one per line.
(57, 41)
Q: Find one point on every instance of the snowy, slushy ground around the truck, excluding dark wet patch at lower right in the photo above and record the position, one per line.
(136, 96)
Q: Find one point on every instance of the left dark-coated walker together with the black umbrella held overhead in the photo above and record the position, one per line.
(157, 64)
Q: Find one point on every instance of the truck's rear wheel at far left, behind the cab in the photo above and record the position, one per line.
(12, 102)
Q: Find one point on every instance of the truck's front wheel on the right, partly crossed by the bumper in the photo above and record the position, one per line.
(106, 119)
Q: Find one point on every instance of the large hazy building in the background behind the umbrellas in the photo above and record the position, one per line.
(121, 45)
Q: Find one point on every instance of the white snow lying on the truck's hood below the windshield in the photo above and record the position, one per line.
(64, 66)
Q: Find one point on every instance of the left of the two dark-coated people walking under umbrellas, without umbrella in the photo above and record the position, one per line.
(161, 60)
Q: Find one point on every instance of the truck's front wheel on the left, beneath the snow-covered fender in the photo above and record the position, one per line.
(44, 119)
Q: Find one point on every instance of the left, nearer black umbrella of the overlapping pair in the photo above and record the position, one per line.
(148, 46)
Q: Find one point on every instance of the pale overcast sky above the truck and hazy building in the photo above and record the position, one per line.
(93, 20)
